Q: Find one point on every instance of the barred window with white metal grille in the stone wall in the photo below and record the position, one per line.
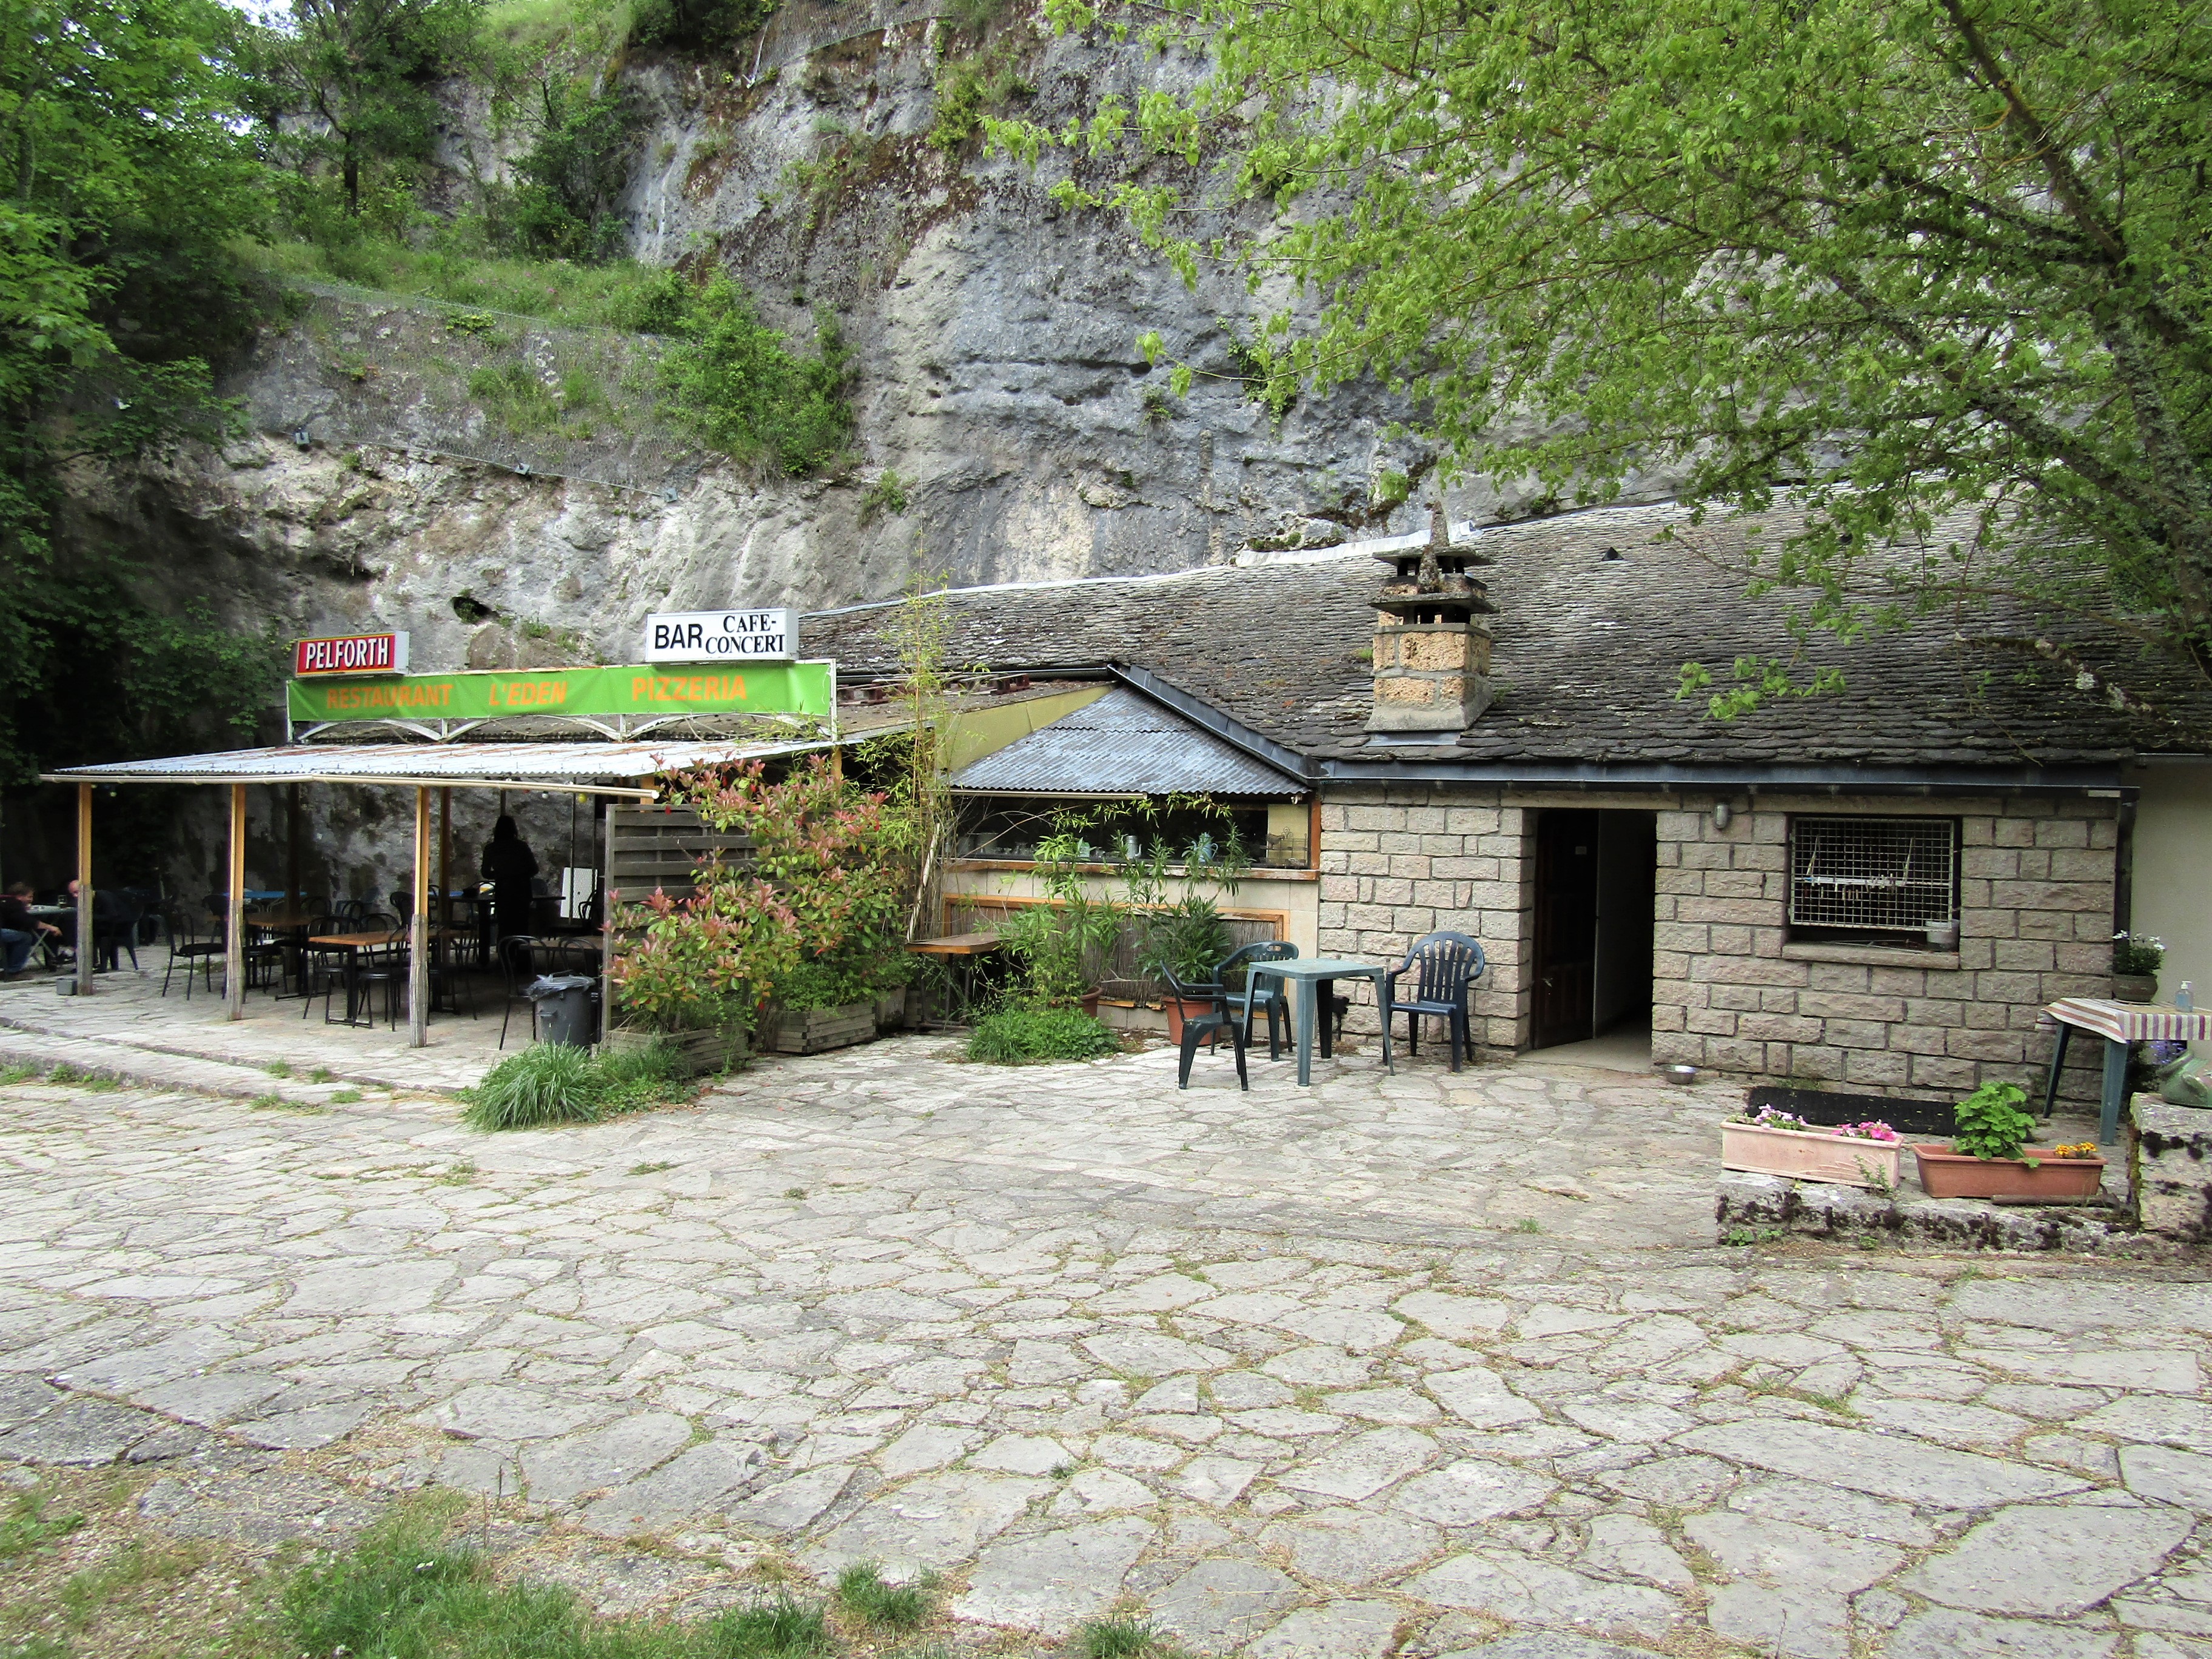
(1872, 877)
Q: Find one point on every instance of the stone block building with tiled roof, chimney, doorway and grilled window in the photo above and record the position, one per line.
(1877, 888)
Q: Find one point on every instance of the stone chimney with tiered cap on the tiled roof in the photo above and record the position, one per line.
(1432, 654)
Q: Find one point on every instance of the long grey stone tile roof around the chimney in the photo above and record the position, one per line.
(1587, 654)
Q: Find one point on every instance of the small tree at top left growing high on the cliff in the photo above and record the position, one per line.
(353, 85)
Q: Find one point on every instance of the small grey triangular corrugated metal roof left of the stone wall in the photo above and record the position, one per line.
(1125, 744)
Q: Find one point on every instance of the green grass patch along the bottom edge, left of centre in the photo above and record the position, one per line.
(406, 1592)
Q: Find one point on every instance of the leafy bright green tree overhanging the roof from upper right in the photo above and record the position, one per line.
(1903, 264)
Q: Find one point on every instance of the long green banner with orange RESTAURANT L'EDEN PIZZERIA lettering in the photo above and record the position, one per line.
(755, 689)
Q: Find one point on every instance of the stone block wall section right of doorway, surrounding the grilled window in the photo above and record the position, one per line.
(1733, 992)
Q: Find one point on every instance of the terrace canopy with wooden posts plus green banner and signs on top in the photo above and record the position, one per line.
(709, 687)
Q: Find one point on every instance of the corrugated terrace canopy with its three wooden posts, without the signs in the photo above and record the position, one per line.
(618, 771)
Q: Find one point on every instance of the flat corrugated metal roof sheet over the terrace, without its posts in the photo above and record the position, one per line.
(585, 769)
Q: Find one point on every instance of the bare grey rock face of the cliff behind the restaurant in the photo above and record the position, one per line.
(994, 340)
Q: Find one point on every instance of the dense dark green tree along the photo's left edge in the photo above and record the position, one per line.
(125, 182)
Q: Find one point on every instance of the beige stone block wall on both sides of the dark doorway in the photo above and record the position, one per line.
(1731, 990)
